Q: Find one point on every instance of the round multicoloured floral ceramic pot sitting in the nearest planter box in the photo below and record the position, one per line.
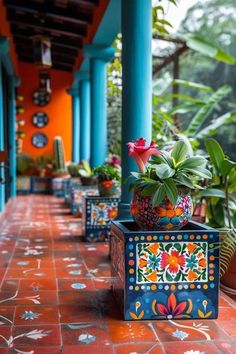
(165, 216)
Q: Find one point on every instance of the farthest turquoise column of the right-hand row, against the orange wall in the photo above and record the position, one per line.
(75, 124)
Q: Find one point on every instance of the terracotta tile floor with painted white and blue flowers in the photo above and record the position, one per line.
(55, 294)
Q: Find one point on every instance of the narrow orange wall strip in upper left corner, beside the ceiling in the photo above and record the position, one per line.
(5, 31)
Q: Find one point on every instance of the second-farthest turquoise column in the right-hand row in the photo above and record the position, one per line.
(85, 115)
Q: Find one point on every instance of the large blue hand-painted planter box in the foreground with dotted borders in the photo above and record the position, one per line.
(165, 274)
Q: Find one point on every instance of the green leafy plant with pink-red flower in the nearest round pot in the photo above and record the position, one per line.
(166, 172)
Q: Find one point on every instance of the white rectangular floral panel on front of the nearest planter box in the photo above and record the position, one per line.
(171, 262)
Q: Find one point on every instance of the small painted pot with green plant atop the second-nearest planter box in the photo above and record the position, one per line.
(108, 180)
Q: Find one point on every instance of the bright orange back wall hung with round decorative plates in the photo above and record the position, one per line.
(58, 109)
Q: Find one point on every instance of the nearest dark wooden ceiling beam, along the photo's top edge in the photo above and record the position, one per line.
(67, 14)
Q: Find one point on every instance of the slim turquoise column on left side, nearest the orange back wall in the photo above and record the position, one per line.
(12, 136)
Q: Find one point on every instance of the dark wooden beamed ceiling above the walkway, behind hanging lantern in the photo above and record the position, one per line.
(65, 22)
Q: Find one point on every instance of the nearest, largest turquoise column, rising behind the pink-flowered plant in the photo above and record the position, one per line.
(137, 84)
